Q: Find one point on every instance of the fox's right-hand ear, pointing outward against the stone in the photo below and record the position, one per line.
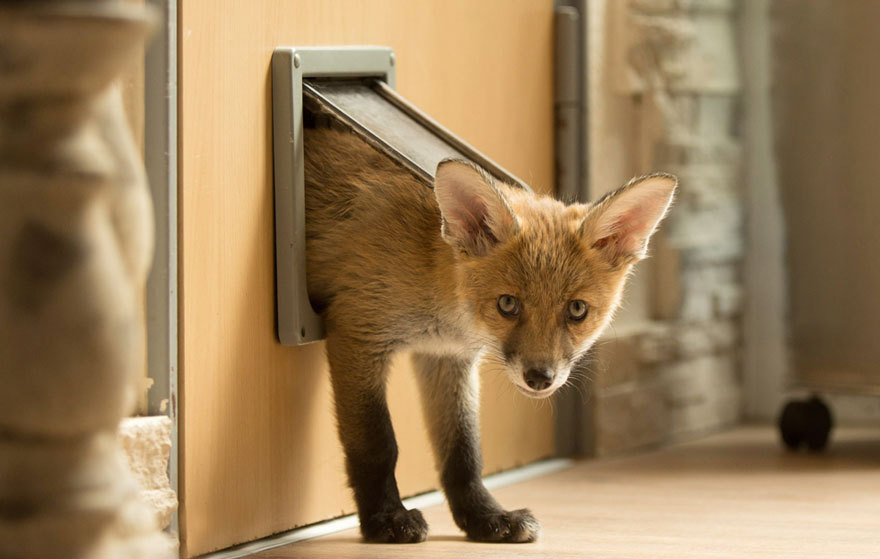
(621, 223)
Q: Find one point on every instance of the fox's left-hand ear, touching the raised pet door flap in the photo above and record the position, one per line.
(476, 215)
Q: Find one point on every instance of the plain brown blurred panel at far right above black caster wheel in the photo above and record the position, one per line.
(826, 90)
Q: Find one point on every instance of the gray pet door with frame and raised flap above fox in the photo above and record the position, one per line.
(353, 88)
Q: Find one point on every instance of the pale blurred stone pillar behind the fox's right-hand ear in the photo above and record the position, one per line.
(678, 374)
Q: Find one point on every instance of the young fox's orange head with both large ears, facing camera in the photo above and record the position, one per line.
(543, 279)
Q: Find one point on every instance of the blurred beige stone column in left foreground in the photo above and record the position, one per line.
(75, 245)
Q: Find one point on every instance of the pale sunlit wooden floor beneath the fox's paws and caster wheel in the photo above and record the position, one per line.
(731, 495)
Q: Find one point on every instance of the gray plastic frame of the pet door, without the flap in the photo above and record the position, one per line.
(297, 322)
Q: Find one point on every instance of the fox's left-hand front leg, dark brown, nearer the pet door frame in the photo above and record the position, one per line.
(358, 376)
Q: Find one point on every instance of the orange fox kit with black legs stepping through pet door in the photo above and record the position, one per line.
(473, 270)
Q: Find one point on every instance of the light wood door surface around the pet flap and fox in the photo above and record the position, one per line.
(259, 449)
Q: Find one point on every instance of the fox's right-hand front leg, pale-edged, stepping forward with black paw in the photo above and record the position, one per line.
(450, 397)
